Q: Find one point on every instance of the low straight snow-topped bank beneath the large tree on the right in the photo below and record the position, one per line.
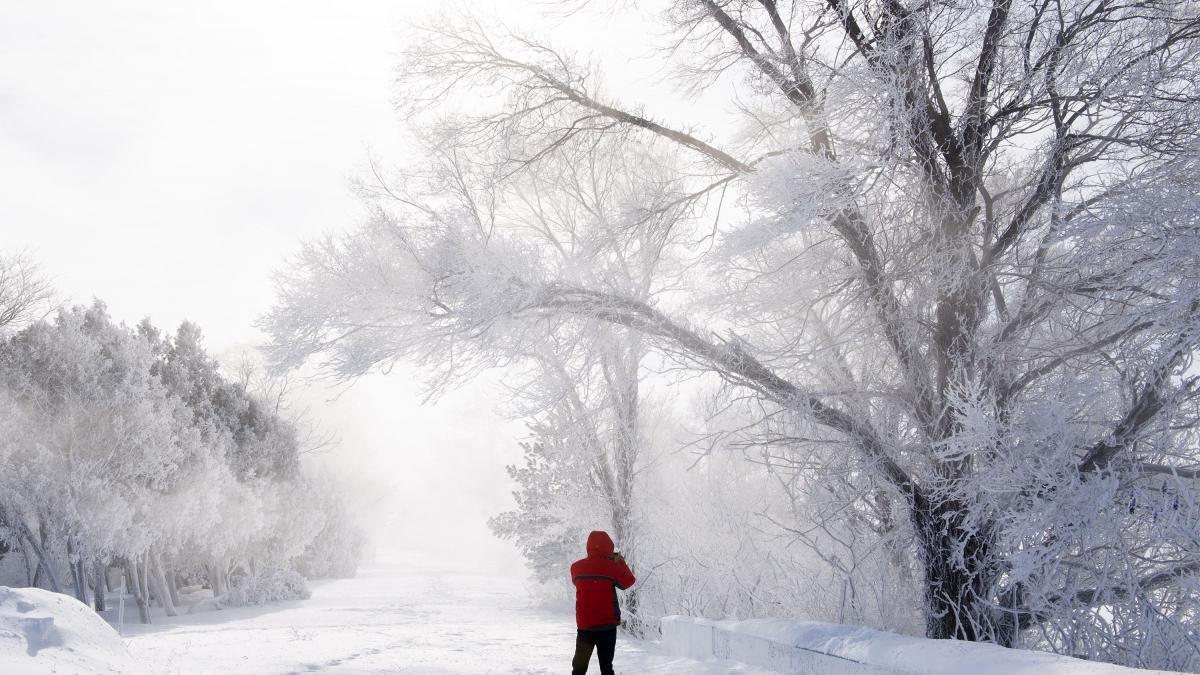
(832, 649)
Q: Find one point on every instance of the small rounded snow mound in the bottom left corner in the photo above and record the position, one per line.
(46, 632)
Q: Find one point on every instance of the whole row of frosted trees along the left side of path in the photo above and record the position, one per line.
(128, 452)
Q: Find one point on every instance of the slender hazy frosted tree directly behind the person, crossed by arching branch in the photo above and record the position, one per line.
(584, 391)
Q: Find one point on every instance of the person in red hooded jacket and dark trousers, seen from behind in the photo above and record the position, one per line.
(597, 611)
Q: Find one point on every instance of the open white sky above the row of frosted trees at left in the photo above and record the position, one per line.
(165, 159)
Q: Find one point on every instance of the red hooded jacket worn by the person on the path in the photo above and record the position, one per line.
(597, 580)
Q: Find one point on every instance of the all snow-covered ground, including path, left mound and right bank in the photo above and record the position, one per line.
(415, 619)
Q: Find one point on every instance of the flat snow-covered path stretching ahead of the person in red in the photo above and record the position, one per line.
(392, 619)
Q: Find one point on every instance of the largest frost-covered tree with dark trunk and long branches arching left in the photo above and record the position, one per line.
(962, 283)
